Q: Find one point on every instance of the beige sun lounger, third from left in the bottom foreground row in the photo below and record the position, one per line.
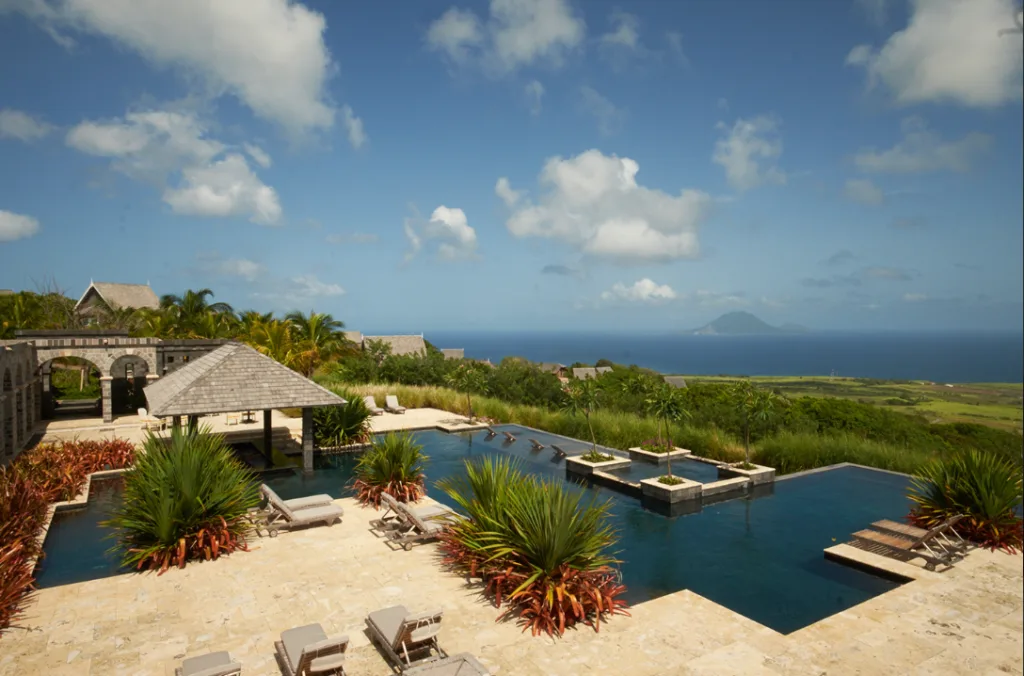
(408, 639)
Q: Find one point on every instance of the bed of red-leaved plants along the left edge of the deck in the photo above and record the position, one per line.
(45, 475)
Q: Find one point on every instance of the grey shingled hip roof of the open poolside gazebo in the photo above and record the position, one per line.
(235, 377)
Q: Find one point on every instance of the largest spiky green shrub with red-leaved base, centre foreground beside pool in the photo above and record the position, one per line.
(538, 547)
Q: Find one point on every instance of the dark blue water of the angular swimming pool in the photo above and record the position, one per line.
(759, 557)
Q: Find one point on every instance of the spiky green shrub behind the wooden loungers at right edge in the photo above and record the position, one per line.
(983, 487)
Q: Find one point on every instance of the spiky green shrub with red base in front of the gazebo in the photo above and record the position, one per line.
(186, 499)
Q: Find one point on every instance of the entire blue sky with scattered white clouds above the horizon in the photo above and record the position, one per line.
(529, 165)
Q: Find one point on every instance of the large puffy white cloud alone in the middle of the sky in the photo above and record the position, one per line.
(593, 202)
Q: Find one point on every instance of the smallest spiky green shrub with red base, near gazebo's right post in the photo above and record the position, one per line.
(394, 466)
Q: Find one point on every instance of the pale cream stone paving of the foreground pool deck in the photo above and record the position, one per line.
(966, 621)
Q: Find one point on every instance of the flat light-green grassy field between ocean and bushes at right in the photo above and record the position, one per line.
(996, 405)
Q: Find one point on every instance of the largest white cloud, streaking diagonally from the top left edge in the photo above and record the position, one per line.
(269, 54)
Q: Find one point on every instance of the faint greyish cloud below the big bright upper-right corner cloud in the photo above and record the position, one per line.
(923, 151)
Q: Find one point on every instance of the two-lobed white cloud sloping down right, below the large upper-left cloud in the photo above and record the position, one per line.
(161, 146)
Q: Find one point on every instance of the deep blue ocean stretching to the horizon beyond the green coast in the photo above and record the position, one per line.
(947, 358)
